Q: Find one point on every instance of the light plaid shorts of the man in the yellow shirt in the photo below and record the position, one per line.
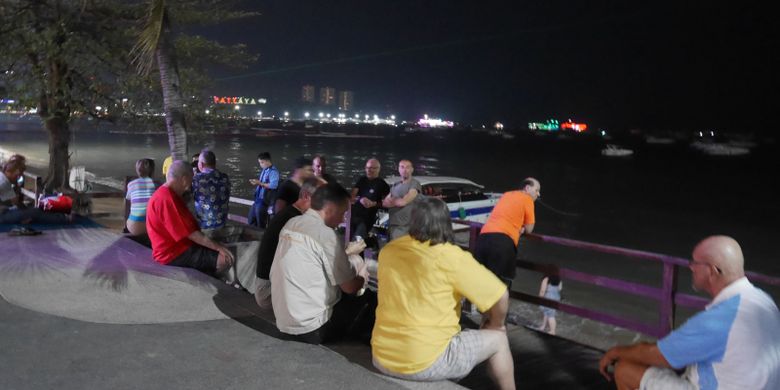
(454, 363)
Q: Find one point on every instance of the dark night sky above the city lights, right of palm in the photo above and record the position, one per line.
(650, 65)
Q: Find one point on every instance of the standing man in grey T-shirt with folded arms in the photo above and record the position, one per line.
(399, 201)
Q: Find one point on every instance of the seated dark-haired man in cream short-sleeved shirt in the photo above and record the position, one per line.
(312, 270)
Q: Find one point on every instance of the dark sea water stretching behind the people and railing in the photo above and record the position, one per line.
(662, 199)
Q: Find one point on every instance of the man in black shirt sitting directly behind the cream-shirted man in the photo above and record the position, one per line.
(265, 256)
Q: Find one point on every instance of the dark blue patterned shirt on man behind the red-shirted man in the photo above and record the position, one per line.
(211, 190)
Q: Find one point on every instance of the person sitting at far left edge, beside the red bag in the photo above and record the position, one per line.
(12, 207)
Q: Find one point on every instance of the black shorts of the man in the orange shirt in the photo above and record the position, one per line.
(498, 253)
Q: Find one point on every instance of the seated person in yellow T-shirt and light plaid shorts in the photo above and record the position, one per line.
(422, 278)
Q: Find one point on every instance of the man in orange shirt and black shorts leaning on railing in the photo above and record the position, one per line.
(512, 216)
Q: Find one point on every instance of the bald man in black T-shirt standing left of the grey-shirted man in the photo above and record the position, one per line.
(367, 195)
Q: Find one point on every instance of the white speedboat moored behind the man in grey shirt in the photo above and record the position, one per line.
(465, 199)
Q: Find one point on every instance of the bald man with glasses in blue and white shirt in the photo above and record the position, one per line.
(733, 344)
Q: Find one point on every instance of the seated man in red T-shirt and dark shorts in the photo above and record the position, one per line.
(173, 231)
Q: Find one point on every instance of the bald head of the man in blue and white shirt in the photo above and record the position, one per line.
(723, 252)
